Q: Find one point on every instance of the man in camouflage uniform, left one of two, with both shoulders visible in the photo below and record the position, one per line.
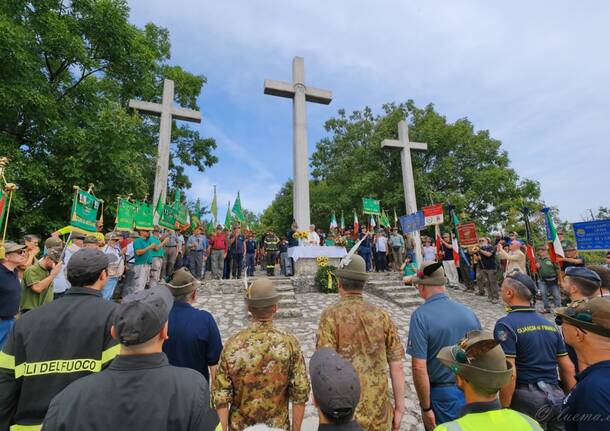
(261, 368)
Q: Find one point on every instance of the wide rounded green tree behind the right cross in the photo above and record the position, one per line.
(462, 166)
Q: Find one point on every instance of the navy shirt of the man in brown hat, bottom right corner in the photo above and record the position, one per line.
(587, 407)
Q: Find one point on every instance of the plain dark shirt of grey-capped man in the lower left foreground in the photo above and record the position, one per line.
(136, 392)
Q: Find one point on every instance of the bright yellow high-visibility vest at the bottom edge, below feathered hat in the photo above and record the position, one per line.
(496, 420)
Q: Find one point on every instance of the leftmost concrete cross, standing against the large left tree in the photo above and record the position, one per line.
(168, 112)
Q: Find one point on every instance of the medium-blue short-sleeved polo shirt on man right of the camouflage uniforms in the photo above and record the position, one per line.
(428, 333)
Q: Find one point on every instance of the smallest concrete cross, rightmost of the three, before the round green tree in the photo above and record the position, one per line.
(408, 183)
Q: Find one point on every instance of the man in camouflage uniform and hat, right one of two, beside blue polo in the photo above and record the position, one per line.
(365, 335)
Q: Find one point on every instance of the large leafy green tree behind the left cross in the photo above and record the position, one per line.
(67, 72)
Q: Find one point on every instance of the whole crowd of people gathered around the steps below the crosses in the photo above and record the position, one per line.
(74, 358)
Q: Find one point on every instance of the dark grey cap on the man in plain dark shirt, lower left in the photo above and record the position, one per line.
(141, 315)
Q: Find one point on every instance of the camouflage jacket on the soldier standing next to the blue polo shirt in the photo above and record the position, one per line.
(365, 335)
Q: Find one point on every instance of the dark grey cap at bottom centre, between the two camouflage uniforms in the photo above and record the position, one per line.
(335, 384)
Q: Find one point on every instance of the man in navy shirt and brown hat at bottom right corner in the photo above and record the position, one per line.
(586, 328)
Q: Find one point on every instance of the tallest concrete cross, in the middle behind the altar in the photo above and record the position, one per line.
(299, 93)
